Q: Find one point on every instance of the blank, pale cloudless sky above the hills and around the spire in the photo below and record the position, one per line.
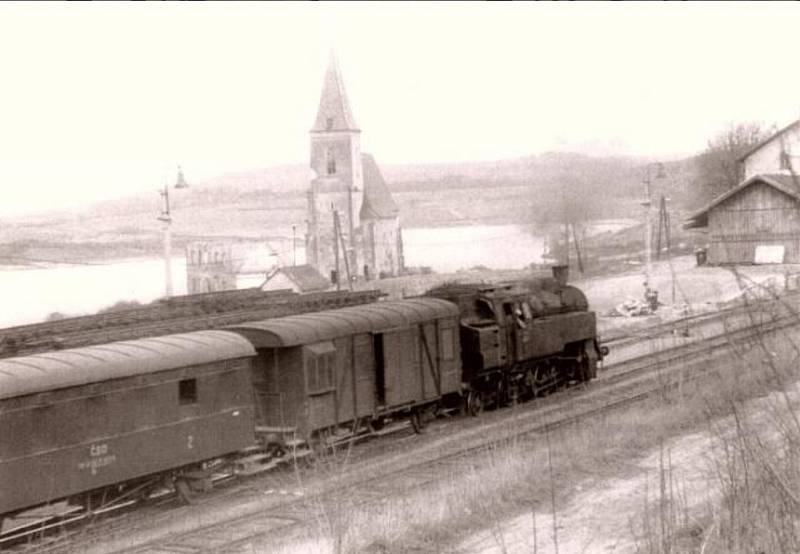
(103, 100)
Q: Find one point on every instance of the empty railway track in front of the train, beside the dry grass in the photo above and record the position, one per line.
(259, 517)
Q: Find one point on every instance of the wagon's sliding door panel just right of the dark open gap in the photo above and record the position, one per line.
(401, 372)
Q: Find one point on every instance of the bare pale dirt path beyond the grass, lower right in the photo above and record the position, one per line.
(620, 515)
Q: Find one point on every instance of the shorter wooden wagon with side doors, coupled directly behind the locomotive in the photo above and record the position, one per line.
(331, 373)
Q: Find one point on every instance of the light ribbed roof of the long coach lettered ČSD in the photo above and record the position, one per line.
(116, 360)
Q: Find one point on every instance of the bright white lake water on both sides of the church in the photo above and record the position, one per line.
(29, 295)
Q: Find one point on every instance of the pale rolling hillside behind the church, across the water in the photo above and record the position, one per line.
(543, 189)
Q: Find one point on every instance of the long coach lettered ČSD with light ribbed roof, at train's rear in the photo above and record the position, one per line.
(75, 422)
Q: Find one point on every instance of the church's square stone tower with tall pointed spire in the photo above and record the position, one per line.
(336, 192)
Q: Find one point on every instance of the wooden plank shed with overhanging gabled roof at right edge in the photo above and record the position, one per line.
(758, 221)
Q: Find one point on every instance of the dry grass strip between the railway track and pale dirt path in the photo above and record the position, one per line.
(498, 483)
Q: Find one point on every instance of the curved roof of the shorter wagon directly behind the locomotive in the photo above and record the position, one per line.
(321, 326)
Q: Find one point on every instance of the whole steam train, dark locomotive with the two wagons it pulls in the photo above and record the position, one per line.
(111, 423)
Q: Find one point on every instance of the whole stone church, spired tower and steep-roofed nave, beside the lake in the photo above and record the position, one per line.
(353, 221)
